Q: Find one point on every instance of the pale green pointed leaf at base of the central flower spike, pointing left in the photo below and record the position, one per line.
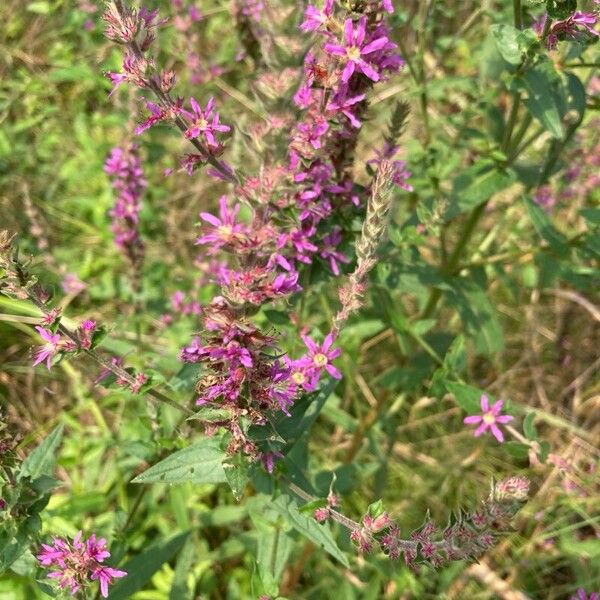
(199, 463)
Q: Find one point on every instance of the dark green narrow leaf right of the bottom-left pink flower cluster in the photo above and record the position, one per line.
(141, 568)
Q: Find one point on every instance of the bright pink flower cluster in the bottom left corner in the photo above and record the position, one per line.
(76, 564)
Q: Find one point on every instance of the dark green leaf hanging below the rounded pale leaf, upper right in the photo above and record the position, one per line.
(541, 84)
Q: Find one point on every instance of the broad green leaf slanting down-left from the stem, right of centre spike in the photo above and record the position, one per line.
(476, 185)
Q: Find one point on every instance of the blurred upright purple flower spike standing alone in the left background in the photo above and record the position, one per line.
(125, 168)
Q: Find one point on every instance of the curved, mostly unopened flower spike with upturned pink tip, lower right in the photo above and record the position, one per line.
(467, 536)
